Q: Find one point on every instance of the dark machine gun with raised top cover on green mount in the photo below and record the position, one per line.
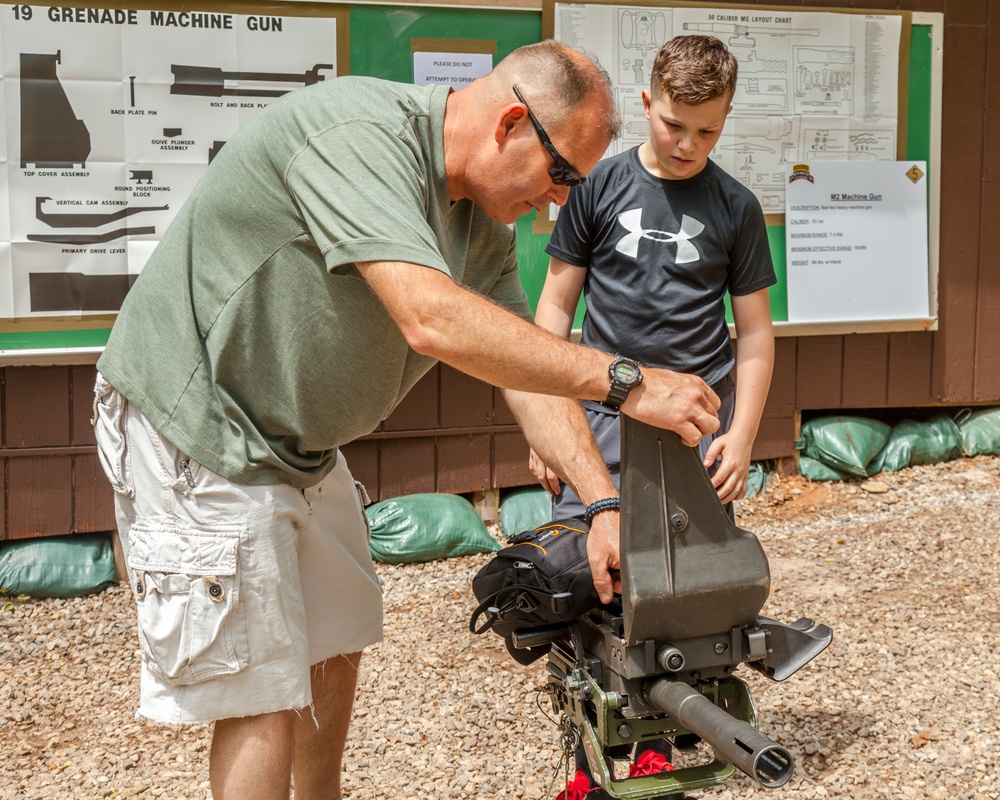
(659, 662)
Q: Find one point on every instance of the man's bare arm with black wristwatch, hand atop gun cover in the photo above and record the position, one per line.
(445, 321)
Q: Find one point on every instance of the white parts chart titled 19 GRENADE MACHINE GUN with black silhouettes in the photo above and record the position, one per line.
(112, 115)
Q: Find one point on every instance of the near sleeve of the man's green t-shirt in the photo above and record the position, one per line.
(360, 189)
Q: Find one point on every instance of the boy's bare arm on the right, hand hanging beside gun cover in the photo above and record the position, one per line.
(754, 363)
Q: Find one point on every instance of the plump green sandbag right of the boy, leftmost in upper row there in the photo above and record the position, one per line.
(848, 444)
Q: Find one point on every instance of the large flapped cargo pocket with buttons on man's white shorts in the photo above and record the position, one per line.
(192, 626)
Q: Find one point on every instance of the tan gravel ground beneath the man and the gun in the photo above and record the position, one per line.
(902, 705)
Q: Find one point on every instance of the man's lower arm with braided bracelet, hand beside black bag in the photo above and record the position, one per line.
(557, 430)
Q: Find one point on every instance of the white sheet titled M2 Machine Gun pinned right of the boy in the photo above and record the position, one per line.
(856, 241)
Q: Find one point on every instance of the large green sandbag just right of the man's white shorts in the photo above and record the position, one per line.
(426, 527)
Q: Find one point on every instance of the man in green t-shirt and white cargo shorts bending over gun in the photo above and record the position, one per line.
(349, 237)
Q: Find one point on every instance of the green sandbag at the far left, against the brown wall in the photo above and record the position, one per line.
(57, 566)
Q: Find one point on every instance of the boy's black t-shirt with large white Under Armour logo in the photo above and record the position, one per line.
(660, 257)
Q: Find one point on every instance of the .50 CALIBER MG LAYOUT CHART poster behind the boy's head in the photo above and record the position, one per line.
(812, 85)
